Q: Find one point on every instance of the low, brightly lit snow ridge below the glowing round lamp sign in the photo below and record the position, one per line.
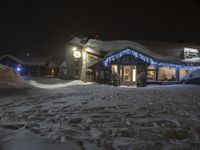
(60, 85)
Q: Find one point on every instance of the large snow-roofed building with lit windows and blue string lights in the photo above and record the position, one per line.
(127, 62)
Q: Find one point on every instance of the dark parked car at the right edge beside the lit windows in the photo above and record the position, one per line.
(191, 78)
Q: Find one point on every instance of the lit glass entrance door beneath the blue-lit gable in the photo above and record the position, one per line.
(129, 75)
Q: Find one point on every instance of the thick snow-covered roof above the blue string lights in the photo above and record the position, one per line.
(164, 51)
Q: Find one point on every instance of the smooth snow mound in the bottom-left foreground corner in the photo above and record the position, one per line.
(25, 140)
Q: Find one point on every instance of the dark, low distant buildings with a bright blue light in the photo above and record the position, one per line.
(32, 66)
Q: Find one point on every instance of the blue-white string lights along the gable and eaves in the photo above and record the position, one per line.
(147, 59)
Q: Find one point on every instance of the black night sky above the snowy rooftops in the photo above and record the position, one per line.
(45, 27)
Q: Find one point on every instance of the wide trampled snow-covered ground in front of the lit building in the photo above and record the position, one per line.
(97, 117)
